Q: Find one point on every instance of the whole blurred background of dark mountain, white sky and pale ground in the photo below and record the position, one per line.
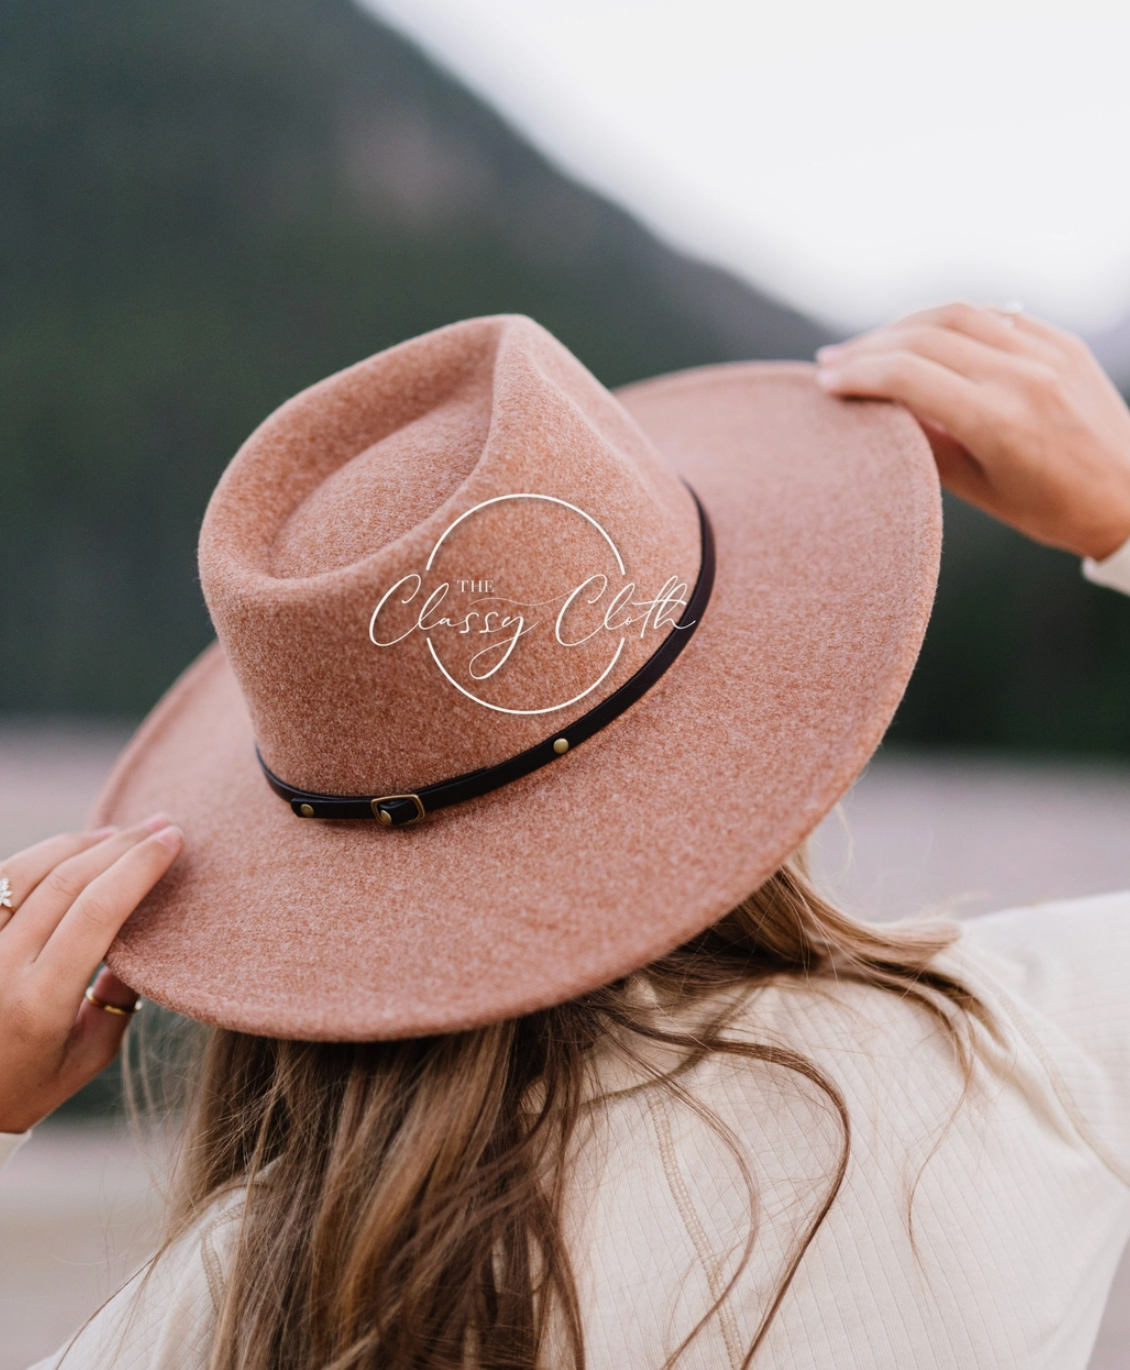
(208, 205)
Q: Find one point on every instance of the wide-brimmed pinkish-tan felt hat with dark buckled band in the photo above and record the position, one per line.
(462, 553)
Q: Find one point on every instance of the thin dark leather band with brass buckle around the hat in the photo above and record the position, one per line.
(398, 810)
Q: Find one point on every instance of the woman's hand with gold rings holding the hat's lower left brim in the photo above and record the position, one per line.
(69, 897)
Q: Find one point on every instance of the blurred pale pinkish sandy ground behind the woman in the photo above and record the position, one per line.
(80, 1206)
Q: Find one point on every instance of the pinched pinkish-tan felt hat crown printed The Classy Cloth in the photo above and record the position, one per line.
(436, 558)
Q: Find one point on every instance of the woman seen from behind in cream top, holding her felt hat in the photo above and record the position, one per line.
(443, 1117)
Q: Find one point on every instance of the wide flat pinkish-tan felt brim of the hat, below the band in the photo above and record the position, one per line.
(828, 525)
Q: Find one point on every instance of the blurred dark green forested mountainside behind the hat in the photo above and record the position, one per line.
(206, 206)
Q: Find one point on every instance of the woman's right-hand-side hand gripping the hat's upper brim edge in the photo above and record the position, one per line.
(1024, 421)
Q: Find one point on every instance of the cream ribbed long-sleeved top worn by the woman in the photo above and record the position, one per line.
(969, 1234)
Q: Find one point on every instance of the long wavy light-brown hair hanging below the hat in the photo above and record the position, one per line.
(402, 1202)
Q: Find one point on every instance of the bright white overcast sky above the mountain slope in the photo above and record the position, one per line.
(857, 158)
